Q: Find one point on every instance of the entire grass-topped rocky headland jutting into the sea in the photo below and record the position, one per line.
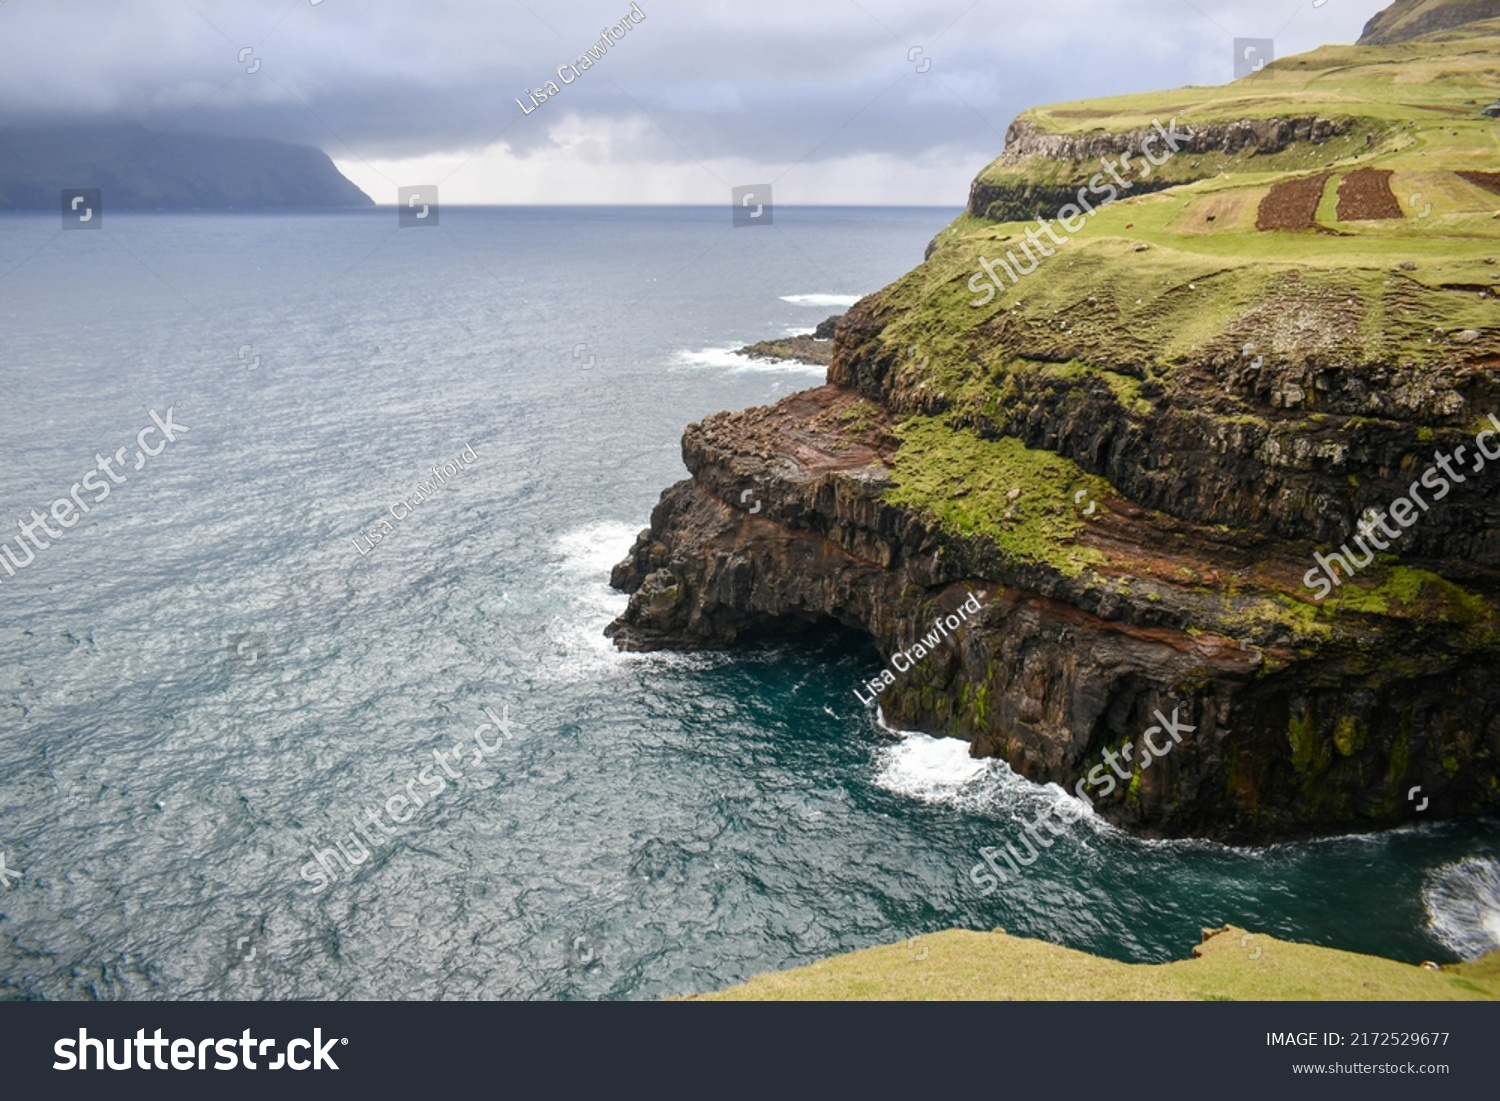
(1136, 455)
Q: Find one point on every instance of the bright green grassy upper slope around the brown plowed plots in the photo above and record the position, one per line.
(1420, 107)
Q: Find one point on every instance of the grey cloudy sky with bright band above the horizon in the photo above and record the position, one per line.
(829, 100)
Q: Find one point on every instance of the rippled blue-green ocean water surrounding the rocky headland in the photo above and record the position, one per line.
(217, 671)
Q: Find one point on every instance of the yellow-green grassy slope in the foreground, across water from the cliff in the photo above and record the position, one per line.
(1231, 965)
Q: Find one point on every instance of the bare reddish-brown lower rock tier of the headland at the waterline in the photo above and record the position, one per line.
(1291, 740)
